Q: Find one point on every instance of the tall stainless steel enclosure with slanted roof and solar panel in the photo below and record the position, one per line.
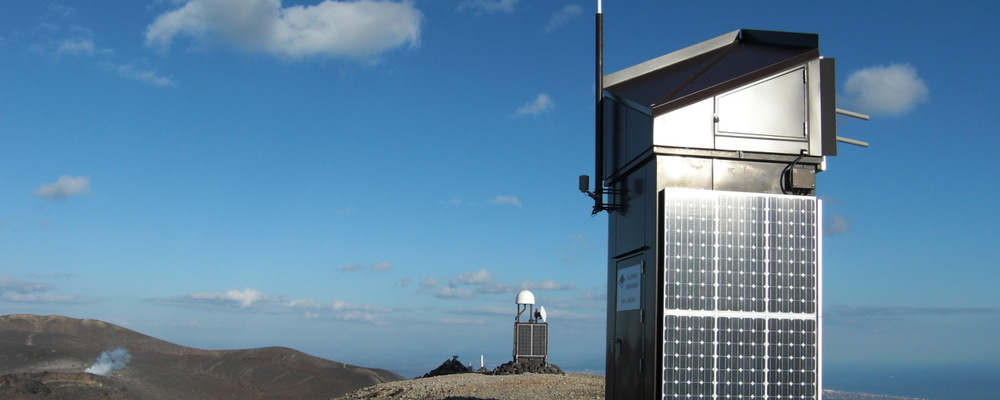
(709, 156)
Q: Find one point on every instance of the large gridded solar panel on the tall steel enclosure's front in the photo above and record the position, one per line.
(741, 281)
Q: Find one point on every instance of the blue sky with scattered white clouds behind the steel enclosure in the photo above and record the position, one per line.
(373, 181)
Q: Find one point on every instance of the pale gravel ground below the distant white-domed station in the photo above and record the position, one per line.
(474, 386)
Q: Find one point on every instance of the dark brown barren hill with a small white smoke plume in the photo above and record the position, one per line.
(45, 357)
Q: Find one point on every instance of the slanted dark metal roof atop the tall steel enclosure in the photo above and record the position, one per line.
(711, 67)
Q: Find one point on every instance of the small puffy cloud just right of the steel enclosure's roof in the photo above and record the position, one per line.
(887, 90)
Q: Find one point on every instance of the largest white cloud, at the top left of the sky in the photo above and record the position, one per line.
(355, 29)
